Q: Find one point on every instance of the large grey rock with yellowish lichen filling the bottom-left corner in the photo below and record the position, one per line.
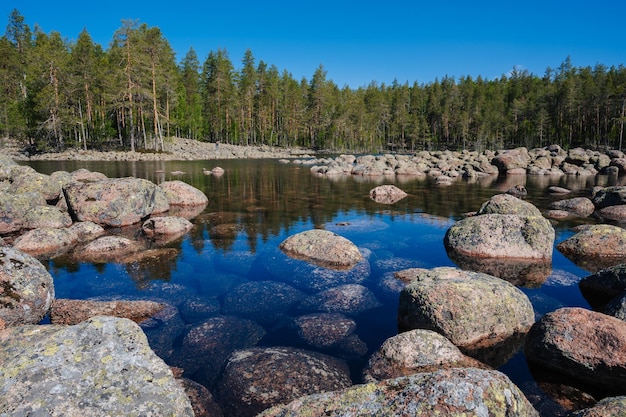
(101, 367)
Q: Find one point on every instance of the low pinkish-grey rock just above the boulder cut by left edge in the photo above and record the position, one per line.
(46, 243)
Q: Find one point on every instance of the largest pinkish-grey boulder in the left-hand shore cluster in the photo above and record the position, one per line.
(112, 202)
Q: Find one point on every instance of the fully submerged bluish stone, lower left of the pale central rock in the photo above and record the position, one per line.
(261, 301)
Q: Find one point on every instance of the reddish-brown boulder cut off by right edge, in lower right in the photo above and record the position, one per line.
(587, 346)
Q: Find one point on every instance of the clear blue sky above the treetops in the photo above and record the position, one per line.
(362, 41)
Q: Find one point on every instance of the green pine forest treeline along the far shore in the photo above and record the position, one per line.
(133, 95)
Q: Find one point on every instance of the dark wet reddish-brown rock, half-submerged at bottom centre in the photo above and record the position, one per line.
(258, 378)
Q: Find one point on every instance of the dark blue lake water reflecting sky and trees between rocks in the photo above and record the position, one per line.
(257, 204)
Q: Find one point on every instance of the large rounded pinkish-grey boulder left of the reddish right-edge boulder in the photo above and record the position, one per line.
(468, 308)
